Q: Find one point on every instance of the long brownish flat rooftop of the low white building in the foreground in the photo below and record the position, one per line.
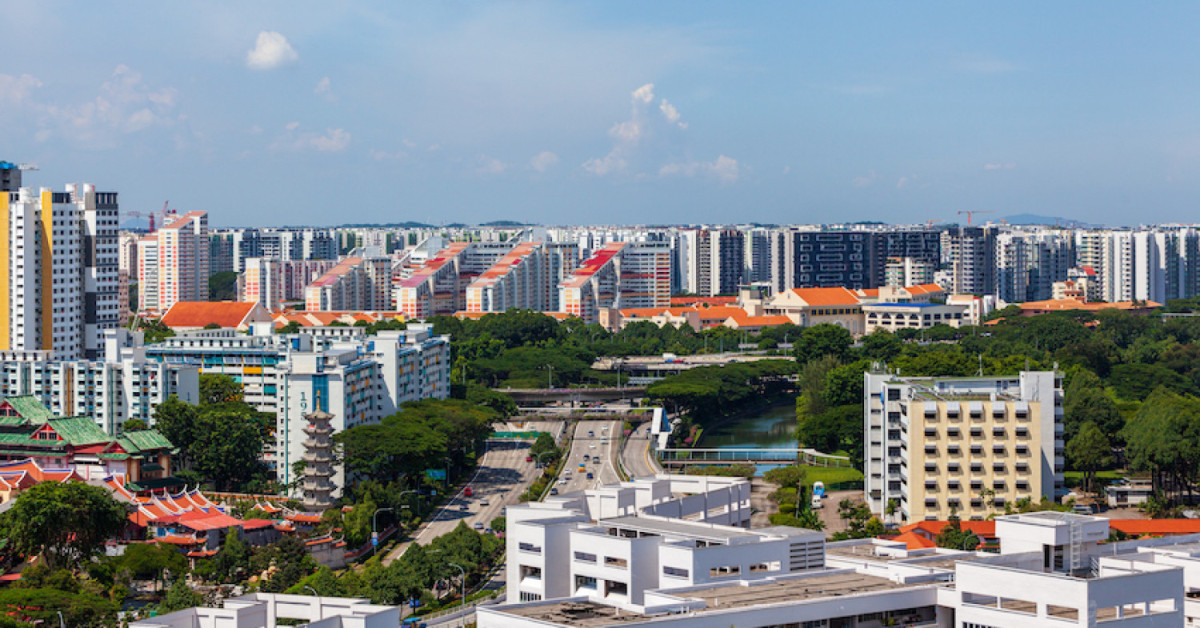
(733, 596)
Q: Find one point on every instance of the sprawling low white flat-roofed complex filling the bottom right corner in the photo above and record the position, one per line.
(873, 583)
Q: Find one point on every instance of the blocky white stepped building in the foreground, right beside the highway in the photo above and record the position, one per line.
(615, 543)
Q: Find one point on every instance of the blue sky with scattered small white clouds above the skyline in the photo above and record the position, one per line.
(617, 112)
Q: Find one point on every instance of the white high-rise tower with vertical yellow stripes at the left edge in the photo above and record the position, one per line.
(59, 260)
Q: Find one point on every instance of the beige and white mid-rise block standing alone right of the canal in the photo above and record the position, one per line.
(963, 445)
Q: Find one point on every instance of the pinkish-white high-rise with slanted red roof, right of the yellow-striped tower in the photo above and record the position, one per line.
(173, 264)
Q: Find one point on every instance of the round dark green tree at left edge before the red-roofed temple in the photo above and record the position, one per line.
(64, 523)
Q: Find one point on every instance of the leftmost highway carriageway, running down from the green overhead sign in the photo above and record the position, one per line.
(502, 476)
